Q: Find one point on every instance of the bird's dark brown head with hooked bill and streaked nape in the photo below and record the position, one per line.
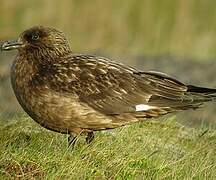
(39, 41)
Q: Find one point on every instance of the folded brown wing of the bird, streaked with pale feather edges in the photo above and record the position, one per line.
(113, 88)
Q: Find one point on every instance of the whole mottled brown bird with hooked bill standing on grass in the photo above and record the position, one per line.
(75, 94)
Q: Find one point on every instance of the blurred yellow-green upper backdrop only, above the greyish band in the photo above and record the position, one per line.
(181, 27)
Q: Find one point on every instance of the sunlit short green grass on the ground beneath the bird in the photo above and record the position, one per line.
(149, 150)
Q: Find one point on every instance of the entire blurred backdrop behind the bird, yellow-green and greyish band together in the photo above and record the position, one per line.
(177, 37)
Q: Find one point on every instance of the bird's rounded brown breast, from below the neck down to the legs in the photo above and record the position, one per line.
(49, 109)
